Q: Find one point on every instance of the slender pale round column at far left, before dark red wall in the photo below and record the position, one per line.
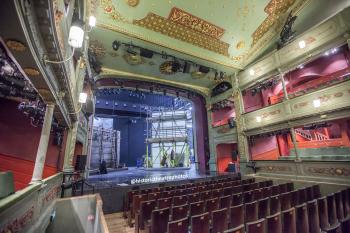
(43, 144)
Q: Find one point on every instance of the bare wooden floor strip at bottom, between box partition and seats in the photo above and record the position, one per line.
(117, 224)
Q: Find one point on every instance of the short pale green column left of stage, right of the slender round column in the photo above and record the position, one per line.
(70, 146)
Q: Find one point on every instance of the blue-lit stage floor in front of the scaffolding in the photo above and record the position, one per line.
(141, 176)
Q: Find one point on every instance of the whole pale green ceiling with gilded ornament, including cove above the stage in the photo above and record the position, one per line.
(220, 34)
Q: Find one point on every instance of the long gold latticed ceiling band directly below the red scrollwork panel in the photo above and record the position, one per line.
(178, 31)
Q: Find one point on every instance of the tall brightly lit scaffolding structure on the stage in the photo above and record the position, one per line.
(167, 142)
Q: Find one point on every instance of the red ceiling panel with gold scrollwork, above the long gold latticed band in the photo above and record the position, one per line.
(188, 20)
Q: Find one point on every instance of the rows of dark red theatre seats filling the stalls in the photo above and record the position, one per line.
(231, 205)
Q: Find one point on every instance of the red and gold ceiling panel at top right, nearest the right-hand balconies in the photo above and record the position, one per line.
(274, 9)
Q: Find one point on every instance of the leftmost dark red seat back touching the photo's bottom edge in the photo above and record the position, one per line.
(159, 220)
